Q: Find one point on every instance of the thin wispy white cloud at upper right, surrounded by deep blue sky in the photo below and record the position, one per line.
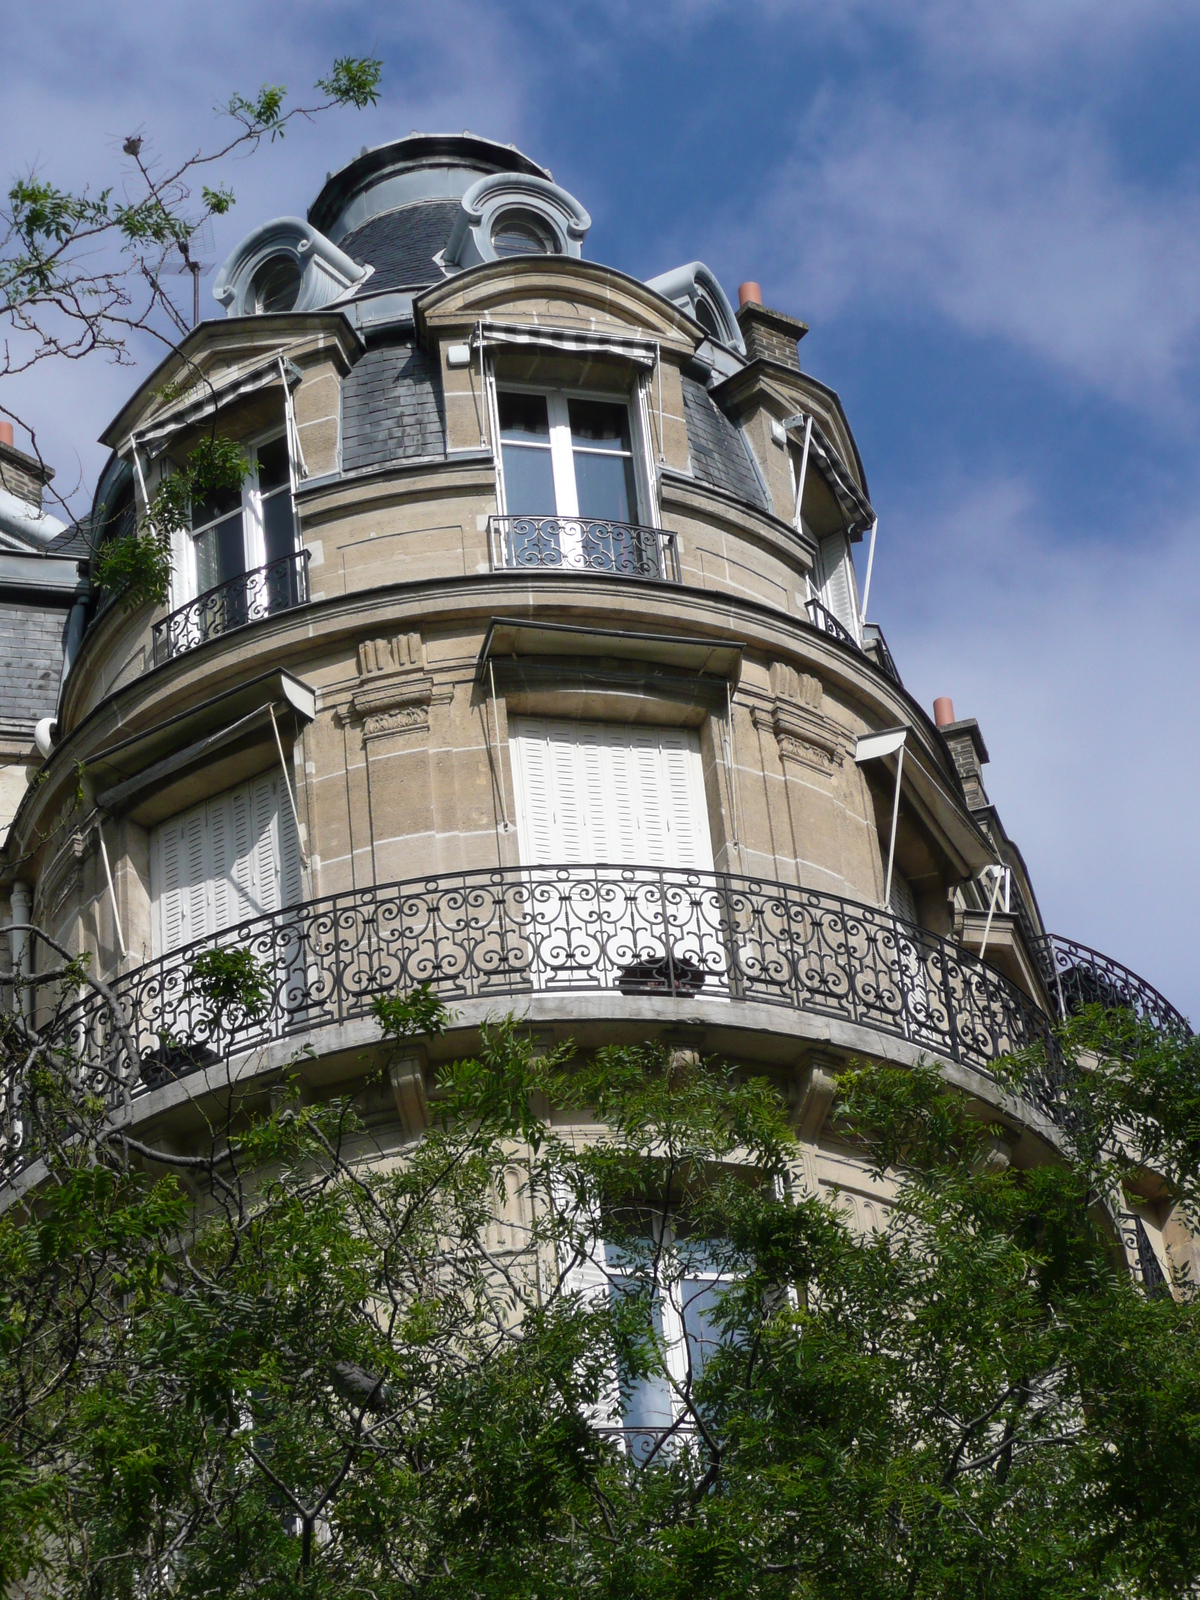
(1004, 226)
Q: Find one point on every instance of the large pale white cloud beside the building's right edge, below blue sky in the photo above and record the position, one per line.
(1079, 666)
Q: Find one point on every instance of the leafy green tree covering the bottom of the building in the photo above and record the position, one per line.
(295, 1362)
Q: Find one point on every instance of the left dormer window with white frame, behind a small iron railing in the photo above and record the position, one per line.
(239, 532)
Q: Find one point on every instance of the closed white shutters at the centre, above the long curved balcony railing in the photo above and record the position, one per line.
(609, 794)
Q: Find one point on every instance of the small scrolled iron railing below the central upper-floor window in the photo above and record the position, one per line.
(585, 545)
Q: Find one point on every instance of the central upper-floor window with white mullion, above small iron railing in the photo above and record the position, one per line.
(567, 457)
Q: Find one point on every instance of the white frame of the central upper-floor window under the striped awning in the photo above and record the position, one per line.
(562, 450)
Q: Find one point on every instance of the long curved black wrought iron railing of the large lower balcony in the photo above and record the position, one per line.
(516, 932)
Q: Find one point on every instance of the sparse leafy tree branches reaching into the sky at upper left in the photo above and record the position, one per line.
(82, 273)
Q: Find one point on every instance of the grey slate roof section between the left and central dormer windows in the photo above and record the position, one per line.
(393, 409)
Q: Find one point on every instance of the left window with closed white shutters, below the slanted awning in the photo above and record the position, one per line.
(223, 863)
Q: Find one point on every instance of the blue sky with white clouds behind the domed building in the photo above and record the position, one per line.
(988, 214)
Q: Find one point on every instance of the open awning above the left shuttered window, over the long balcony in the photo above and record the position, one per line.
(150, 767)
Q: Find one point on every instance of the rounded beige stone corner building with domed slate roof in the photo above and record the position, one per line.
(530, 662)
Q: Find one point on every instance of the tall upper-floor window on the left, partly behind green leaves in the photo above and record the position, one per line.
(238, 532)
